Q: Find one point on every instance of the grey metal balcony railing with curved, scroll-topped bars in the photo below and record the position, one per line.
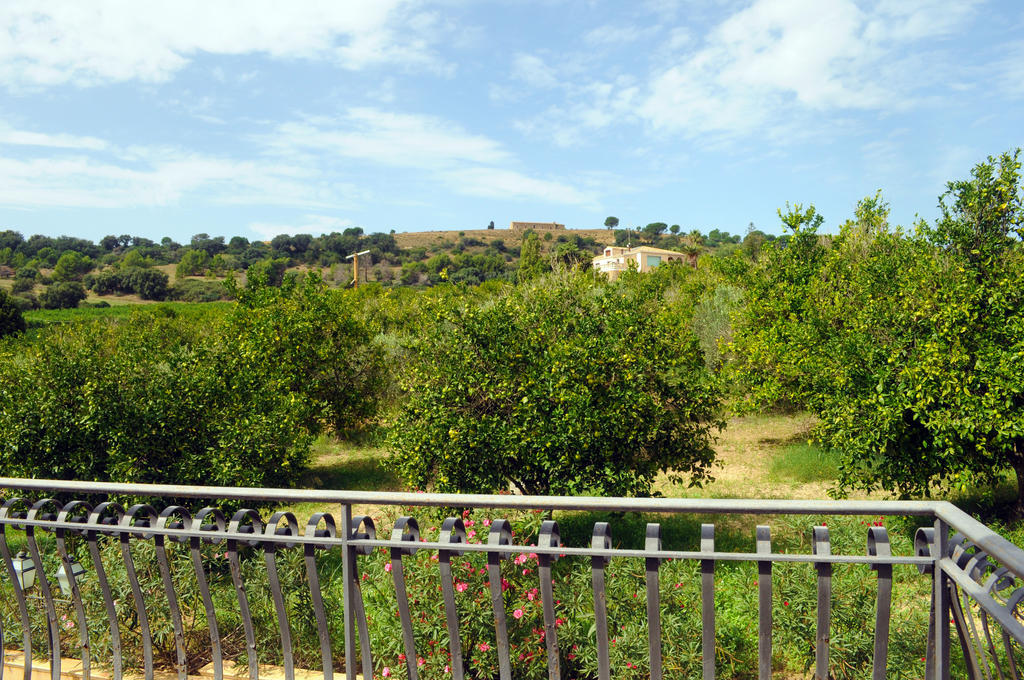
(974, 573)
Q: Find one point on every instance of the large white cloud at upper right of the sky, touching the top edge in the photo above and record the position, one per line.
(778, 60)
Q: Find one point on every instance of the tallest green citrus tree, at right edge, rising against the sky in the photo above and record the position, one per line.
(910, 349)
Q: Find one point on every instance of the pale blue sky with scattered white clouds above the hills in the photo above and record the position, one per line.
(260, 117)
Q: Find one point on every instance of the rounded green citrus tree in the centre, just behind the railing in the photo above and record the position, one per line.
(559, 387)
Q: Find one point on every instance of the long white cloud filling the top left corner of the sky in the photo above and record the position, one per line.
(87, 44)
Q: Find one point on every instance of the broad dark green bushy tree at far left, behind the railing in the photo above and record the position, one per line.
(149, 400)
